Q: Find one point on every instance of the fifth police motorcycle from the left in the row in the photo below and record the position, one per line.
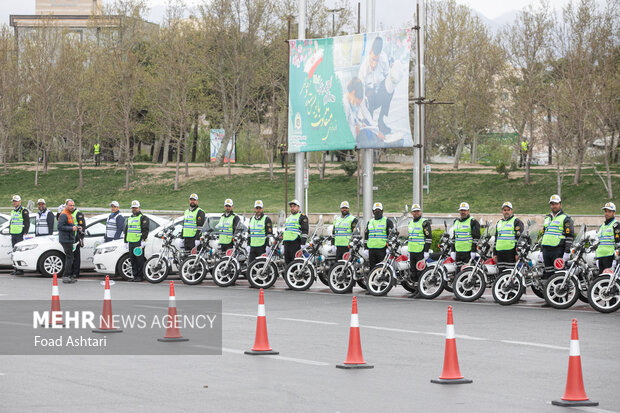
(311, 262)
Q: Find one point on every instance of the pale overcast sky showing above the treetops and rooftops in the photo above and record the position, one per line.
(388, 14)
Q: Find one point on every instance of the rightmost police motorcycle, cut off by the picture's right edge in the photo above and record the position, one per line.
(604, 291)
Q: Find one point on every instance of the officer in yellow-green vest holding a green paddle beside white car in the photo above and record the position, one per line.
(136, 231)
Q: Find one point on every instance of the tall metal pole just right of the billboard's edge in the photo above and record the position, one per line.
(418, 136)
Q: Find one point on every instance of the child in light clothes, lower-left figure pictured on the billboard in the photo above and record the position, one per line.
(365, 130)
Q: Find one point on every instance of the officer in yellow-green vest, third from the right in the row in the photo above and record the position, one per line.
(507, 233)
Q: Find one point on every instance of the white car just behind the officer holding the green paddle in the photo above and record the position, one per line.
(113, 257)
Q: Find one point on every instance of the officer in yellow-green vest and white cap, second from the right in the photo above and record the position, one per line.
(558, 235)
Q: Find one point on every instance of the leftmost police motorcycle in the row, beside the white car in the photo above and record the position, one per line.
(158, 266)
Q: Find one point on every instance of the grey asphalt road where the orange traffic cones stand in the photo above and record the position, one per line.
(517, 356)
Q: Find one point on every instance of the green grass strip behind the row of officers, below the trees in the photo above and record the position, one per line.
(484, 192)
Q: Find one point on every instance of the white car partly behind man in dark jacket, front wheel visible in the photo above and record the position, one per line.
(45, 254)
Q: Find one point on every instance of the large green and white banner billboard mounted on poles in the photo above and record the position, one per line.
(350, 91)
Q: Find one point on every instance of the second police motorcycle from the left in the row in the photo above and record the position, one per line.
(202, 260)
